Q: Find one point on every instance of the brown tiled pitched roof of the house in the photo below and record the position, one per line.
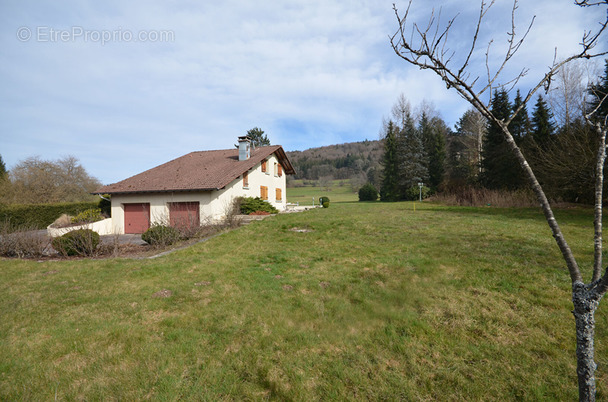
(204, 170)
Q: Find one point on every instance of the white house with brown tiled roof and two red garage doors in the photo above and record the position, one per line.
(199, 186)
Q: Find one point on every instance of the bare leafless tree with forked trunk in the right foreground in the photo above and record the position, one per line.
(427, 47)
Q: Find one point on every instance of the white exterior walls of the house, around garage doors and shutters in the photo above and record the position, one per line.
(213, 204)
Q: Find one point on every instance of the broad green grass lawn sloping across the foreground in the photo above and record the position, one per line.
(366, 301)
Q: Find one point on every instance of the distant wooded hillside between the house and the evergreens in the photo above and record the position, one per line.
(355, 160)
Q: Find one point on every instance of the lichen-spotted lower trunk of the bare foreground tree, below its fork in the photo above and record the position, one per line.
(585, 300)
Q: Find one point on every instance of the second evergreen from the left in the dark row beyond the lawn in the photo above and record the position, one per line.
(413, 162)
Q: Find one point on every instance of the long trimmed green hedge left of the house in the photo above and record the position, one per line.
(41, 215)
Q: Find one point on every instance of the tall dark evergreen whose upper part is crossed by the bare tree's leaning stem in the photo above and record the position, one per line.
(500, 169)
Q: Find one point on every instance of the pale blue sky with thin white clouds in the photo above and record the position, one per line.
(126, 86)
